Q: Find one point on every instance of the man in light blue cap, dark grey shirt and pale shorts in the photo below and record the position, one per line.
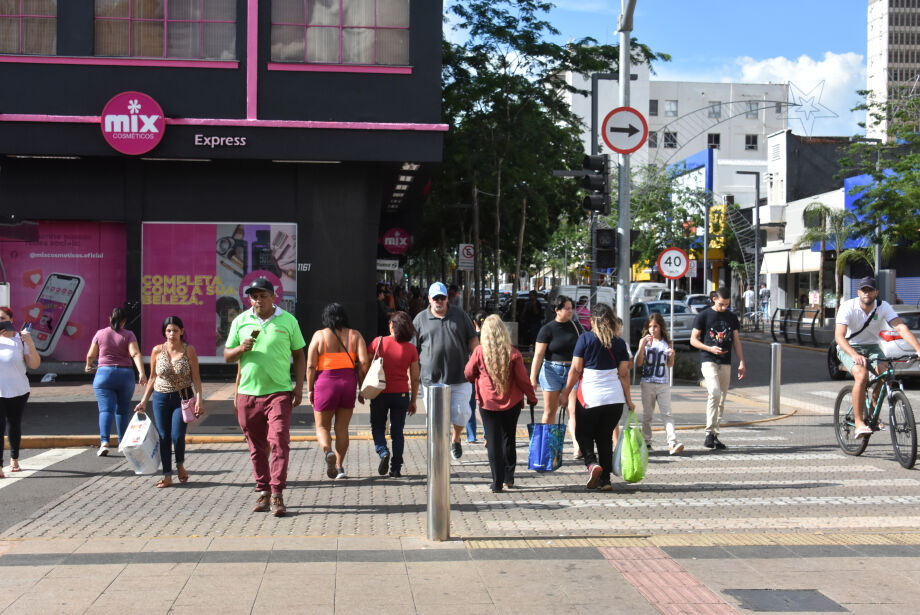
(445, 337)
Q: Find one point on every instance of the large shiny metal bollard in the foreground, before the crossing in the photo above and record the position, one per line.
(437, 403)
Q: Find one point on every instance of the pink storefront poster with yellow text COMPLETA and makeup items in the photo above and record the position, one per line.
(197, 271)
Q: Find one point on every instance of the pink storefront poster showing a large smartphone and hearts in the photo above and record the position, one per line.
(65, 279)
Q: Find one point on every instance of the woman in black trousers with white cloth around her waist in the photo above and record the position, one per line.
(601, 361)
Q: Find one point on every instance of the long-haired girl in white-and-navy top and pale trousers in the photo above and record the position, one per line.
(656, 356)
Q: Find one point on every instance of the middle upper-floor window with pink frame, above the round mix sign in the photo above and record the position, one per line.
(187, 29)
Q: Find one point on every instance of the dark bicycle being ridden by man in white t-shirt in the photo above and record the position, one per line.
(901, 422)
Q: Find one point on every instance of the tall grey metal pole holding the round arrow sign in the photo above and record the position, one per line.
(625, 215)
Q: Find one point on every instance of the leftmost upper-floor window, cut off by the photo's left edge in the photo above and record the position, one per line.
(28, 27)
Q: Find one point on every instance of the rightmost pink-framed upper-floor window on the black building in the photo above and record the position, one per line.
(370, 32)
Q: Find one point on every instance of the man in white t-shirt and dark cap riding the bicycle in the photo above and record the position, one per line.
(858, 324)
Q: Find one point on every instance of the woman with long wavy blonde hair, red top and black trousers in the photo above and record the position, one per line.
(497, 369)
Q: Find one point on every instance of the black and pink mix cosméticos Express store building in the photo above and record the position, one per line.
(165, 153)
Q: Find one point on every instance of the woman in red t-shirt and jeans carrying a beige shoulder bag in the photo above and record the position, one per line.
(400, 366)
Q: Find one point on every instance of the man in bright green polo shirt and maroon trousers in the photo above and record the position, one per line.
(263, 339)
